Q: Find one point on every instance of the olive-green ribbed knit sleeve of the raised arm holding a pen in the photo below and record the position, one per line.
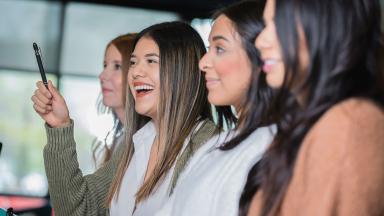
(72, 193)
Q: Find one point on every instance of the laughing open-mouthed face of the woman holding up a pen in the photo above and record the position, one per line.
(144, 77)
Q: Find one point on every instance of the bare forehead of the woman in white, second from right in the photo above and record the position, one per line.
(222, 26)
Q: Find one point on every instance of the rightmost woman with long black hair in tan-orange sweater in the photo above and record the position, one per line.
(323, 57)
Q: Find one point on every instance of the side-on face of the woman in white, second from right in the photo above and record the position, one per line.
(226, 66)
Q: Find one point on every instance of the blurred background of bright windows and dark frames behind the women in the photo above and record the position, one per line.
(72, 36)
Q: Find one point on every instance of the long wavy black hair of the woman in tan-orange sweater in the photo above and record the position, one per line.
(344, 42)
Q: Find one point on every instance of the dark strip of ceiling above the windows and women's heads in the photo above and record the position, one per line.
(186, 8)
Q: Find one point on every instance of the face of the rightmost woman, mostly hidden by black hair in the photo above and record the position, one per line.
(271, 53)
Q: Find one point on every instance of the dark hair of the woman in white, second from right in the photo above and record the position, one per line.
(246, 18)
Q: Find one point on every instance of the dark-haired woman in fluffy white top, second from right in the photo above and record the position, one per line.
(213, 181)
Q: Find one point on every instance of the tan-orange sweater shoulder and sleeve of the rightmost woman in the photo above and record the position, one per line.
(340, 164)
